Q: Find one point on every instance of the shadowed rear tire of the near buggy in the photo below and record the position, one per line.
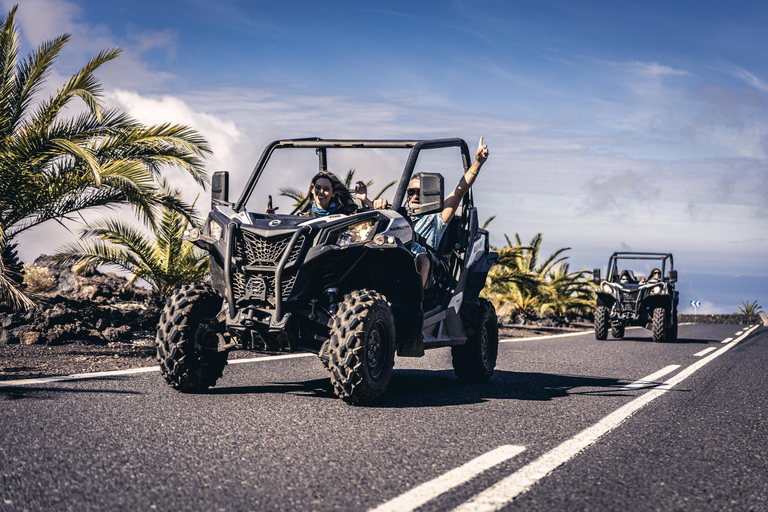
(476, 359)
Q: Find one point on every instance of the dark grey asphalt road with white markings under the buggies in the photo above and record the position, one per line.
(566, 423)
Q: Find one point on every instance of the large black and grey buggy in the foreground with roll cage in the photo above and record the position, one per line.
(342, 286)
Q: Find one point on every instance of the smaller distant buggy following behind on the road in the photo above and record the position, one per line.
(624, 298)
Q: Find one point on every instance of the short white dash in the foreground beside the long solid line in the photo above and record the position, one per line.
(418, 496)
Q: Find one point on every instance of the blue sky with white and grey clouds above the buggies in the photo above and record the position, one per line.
(612, 125)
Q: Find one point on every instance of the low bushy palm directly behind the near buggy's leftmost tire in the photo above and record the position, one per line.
(165, 261)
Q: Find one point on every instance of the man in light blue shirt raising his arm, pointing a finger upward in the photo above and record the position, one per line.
(431, 227)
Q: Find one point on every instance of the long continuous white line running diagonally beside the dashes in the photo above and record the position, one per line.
(501, 494)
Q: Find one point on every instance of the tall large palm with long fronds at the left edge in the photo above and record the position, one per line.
(52, 167)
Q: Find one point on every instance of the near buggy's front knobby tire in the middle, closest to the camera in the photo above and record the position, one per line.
(362, 347)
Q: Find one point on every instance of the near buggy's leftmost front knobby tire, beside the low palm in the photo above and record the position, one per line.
(186, 339)
